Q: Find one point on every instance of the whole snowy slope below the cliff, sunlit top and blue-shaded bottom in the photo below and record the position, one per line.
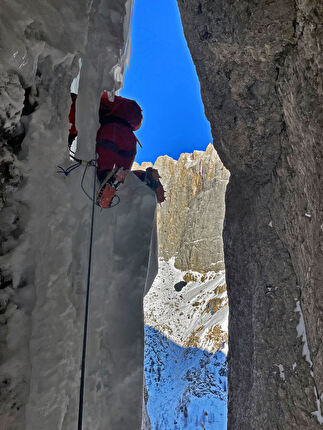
(186, 346)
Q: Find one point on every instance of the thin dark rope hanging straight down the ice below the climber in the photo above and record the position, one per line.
(82, 381)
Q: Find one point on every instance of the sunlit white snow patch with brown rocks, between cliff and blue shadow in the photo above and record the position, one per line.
(195, 316)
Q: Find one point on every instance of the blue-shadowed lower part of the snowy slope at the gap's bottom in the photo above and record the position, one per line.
(187, 387)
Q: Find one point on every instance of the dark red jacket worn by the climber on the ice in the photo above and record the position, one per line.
(115, 140)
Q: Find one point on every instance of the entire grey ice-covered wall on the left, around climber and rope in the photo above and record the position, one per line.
(45, 225)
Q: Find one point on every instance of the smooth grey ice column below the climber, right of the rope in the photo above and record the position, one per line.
(124, 265)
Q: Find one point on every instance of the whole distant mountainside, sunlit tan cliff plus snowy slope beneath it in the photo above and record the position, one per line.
(186, 310)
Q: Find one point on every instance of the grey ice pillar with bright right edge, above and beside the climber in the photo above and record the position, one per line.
(103, 66)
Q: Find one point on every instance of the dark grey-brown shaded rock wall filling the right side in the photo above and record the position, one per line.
(260, 68)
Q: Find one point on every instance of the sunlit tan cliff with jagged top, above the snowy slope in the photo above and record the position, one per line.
(195, 187)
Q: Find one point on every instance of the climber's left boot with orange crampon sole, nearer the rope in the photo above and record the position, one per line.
(107, 191)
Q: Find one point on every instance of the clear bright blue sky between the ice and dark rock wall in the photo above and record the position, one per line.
(162, 79)
